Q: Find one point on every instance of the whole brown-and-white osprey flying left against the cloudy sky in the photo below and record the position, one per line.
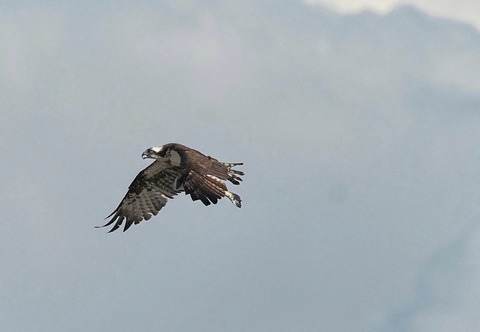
(176, 168)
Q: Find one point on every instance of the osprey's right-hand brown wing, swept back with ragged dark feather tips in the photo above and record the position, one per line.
(207, 182)
